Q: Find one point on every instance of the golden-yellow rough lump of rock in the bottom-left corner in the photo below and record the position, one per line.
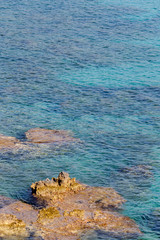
(10, 225)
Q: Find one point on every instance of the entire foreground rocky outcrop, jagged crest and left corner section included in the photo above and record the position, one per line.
(69, 209)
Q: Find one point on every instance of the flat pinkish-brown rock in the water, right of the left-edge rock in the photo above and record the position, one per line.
(40, 135)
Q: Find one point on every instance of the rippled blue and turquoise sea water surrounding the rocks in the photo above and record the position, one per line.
(91, 67)
